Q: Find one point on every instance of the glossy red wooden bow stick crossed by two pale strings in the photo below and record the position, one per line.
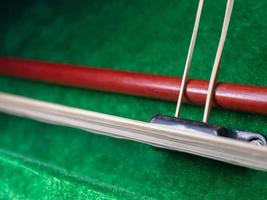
(244, 98)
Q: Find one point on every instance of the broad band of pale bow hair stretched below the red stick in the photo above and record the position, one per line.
(218, 148)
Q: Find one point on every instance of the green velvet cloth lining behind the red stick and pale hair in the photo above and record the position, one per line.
(41, 161)
